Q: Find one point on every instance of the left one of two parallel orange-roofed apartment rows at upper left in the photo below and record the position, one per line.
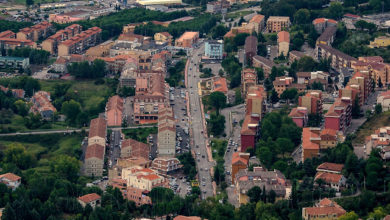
(52, 42)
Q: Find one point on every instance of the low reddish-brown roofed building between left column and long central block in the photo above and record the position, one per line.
(133, 148)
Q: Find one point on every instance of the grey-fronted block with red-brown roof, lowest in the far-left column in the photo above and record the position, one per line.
(94, 160)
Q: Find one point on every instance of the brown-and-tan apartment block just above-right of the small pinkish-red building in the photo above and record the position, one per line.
(312, 101)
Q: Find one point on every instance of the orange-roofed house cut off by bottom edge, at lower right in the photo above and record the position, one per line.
(325, 209)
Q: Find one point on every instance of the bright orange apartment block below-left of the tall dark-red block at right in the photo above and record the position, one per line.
(310, 143)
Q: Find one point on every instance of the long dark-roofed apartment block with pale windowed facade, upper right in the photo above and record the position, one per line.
(339, 59)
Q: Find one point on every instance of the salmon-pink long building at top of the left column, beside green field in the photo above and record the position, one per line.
(114, 110)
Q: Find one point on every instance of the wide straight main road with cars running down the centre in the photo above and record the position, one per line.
(196, 122)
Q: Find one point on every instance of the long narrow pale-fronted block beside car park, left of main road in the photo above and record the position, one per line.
(166, 137)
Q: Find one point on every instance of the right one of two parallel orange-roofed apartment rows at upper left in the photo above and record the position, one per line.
(80, 42)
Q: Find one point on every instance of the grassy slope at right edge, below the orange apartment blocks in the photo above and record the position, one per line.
(371, 125)
